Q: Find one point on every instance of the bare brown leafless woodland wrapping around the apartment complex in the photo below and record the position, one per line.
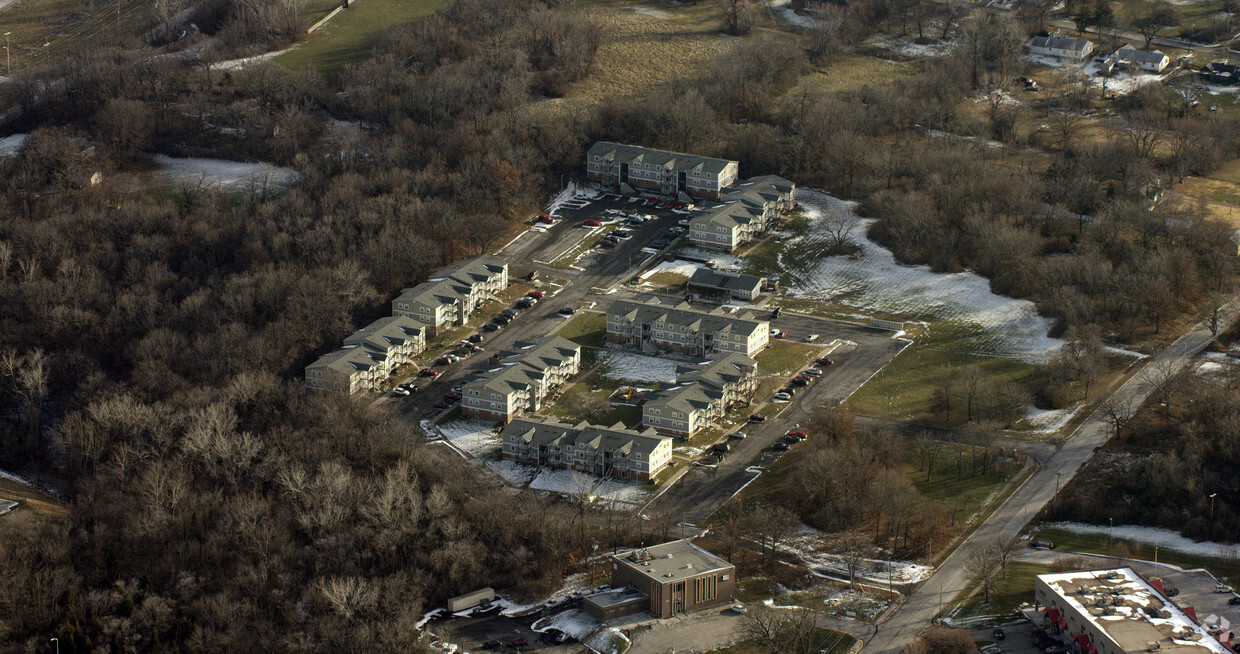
(152, 339)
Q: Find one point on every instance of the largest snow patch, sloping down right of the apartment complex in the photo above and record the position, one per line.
(875, 281)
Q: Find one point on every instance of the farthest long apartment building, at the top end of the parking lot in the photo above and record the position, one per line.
(662, 172)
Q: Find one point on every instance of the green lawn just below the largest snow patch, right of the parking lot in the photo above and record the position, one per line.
(902, 390)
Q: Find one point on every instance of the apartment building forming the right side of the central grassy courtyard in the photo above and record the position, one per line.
(701, 395)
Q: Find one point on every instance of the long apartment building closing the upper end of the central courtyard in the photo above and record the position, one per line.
(684, 329)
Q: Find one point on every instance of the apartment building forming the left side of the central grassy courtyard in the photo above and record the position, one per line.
(520, 379)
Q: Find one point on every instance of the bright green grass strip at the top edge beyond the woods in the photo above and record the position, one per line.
(350, 37)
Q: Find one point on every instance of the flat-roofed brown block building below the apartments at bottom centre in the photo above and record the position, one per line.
(666, 580)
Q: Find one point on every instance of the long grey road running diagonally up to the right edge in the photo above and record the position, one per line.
(903, 627)
